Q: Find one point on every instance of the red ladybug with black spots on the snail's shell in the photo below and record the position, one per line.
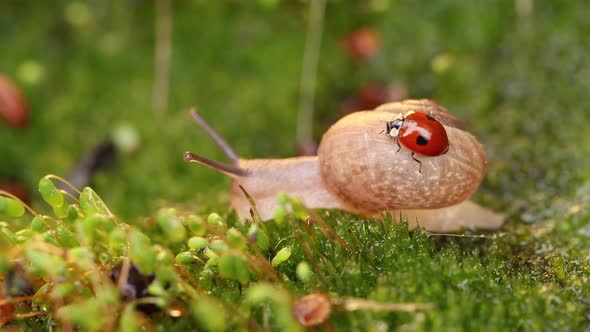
(420, 133)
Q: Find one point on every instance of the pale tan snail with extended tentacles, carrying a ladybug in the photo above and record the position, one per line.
(362, 168)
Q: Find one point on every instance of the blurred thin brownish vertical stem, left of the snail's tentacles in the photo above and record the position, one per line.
(162, 56)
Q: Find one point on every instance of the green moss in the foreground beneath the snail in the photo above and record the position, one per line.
(473, 282)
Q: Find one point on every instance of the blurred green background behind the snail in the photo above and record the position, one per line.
(517, 72)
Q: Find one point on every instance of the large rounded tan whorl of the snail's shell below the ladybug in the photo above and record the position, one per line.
(375, 176)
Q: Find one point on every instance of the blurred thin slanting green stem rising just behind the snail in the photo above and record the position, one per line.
(311, 56)
